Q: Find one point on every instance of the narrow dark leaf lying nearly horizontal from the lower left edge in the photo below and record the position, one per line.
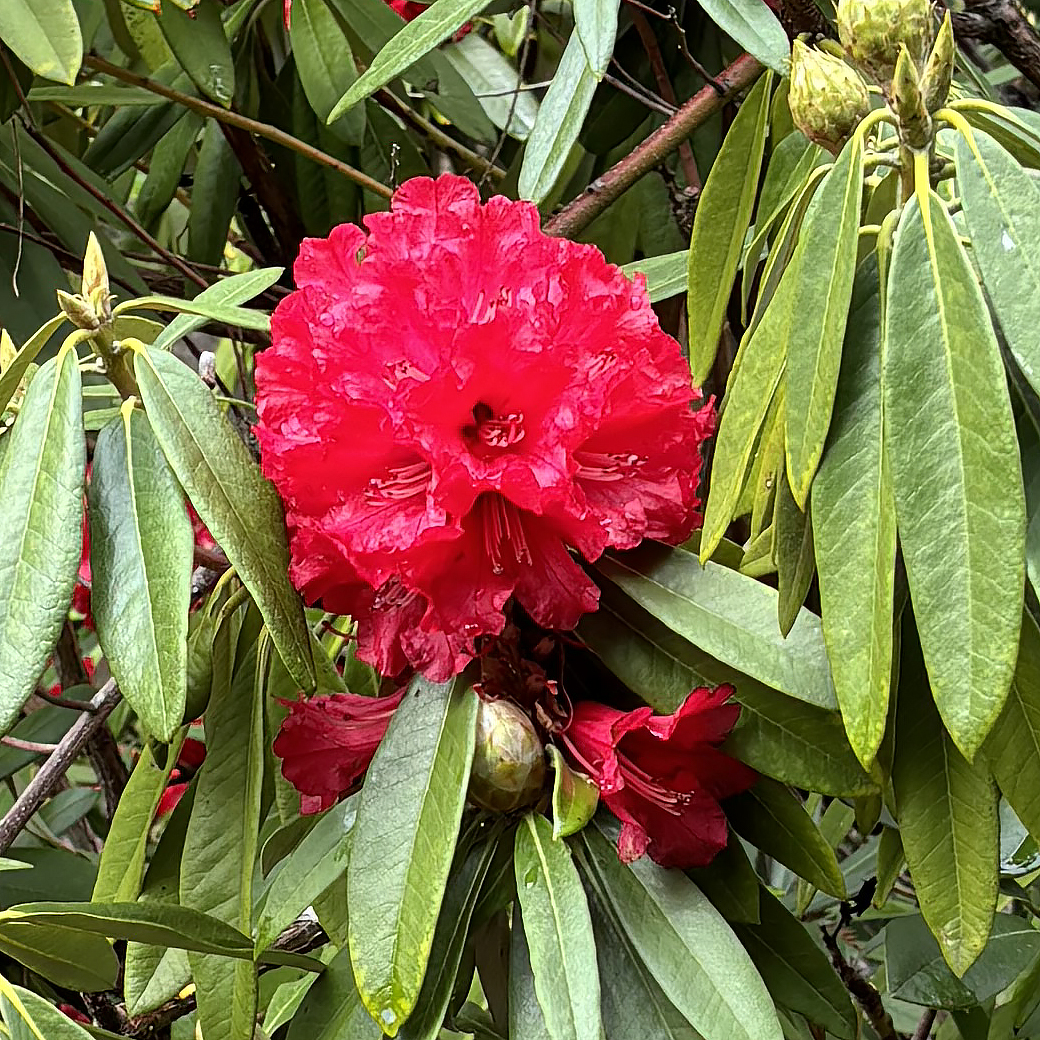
(159, 924)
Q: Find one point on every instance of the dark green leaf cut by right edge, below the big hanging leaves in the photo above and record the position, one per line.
(1012, 749)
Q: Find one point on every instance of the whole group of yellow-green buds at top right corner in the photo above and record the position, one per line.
(892, 46)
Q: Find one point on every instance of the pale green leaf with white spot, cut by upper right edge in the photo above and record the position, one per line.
(1002, 211)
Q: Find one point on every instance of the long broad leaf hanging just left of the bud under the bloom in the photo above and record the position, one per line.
(404, 841)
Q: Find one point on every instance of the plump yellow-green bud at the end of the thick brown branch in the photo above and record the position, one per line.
(827, 98)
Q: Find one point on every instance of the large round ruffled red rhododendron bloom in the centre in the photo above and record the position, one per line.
(455, 400)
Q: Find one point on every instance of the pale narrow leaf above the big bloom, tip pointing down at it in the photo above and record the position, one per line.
(560, 120)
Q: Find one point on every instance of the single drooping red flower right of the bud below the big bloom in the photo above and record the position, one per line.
(663, 776)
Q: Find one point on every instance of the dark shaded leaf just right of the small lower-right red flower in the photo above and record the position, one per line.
(773, 820)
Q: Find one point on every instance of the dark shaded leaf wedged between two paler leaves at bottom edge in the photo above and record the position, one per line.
(634, 1004)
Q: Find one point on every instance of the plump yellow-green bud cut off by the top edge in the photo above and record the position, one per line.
(872, 33)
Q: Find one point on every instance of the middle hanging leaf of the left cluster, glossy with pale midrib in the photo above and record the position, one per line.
(141, 556)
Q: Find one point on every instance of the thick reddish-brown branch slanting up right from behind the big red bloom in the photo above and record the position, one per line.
(579, 215)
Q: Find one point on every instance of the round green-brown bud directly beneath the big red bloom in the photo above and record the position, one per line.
(509, 764)
